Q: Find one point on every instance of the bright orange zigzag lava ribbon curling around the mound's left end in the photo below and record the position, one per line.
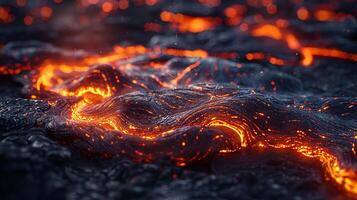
(52, 75)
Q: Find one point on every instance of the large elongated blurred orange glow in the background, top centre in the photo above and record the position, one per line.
(186, 23)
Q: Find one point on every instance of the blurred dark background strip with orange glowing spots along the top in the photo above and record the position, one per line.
(96, 24)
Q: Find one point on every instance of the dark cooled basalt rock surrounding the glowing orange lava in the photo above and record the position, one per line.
(41, 157)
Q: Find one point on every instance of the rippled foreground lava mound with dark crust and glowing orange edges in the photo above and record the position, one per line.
(156, 109)
